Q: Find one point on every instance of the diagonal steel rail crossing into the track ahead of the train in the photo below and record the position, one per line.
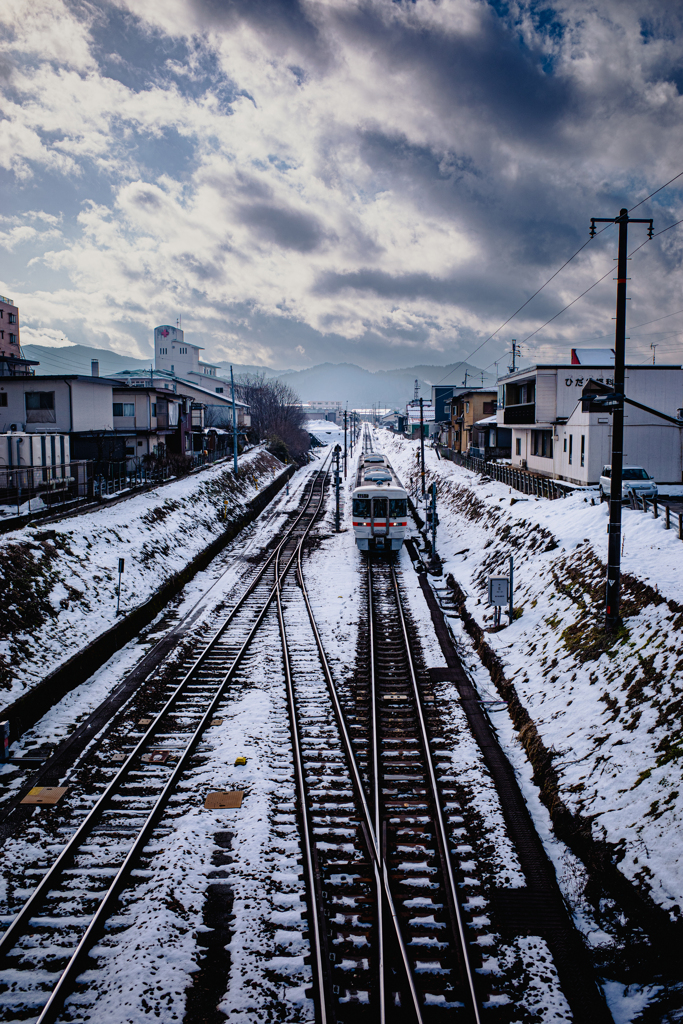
(381, 873)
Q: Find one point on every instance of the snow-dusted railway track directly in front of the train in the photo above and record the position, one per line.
(415, 815)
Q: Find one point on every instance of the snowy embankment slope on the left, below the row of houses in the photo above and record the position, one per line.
(61, 594)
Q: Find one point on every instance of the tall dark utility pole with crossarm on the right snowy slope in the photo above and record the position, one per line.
(615, 528)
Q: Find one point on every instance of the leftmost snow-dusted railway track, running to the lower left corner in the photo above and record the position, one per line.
(104, 838)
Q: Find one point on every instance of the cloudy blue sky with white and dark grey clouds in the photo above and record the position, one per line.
(364, 181)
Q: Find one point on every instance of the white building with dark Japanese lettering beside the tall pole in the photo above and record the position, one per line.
(552, 436)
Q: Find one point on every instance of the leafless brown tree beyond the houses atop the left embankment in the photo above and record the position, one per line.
(276, 415)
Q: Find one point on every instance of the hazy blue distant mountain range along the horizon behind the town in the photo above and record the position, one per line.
(344, 382)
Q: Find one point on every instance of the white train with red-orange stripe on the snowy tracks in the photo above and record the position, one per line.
(380, 506)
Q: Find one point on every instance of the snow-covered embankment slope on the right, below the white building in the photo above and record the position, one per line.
(610, 712)
